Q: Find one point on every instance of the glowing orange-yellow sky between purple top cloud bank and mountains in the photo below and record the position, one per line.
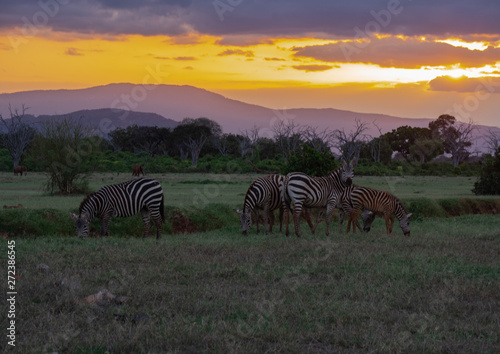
(394, 73)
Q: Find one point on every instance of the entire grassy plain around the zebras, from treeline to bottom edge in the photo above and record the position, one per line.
(204, 287)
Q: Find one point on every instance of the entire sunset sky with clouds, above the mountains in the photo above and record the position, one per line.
(411, 58)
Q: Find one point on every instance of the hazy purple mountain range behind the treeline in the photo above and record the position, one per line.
(174, 103)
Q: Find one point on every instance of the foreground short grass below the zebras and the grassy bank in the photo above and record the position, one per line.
(436, 291)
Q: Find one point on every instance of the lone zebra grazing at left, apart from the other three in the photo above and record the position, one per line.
(124, 199)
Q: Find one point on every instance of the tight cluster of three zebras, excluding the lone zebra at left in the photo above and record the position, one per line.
(298, 193)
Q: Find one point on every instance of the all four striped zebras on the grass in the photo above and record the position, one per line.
(296, 192)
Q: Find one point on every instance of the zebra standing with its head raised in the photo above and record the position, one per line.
(315, 192)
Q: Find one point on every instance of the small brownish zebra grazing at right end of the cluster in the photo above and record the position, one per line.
(377, 202)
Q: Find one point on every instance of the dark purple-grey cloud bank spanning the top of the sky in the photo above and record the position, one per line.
(346, 19)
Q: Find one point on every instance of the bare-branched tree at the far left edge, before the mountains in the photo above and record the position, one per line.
(18, 134)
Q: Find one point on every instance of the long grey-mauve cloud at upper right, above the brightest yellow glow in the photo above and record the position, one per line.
(400, 53)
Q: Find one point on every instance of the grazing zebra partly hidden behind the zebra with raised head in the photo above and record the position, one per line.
(263, 194)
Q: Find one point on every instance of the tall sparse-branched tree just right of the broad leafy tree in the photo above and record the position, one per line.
(456, 138)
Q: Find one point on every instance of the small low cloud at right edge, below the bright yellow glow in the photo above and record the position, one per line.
(464, 84)
